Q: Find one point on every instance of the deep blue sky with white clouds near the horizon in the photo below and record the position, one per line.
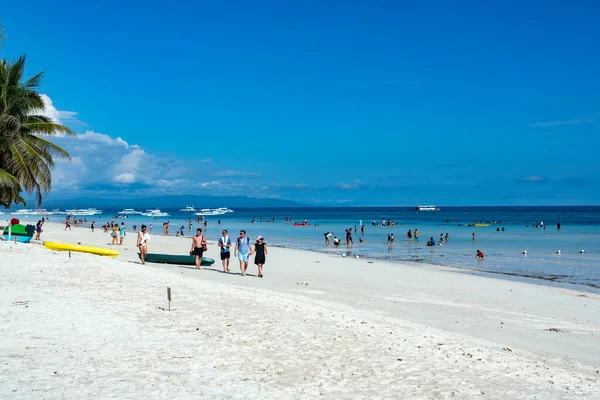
(325, 103)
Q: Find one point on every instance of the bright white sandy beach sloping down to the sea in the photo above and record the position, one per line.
(93, 327)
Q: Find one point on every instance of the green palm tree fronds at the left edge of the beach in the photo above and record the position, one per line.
(26, 157)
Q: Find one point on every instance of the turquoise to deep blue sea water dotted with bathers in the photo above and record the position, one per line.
(580, 230)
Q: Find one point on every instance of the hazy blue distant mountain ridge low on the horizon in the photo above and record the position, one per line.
(171, 202)
